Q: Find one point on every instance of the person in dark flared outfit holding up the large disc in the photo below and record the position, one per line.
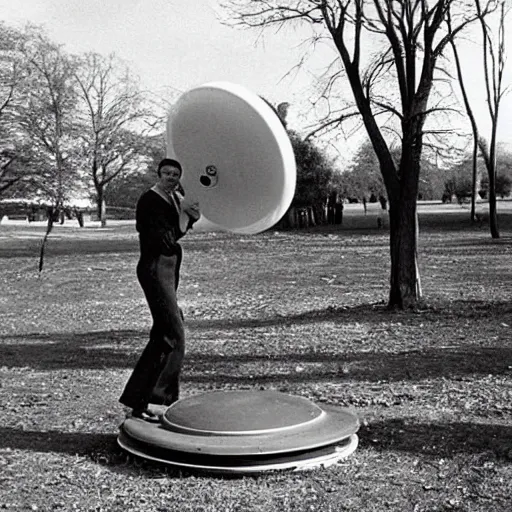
(155, 378)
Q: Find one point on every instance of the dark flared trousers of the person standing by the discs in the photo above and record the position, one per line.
(155, 378)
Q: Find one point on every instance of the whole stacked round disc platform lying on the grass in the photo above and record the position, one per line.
(244, 432)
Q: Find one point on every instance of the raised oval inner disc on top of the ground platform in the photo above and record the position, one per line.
(256, 413)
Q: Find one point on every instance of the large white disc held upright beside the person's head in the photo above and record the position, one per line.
(237, 158)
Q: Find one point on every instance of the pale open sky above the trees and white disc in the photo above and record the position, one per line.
(180, 43)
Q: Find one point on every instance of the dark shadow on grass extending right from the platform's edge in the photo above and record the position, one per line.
(438, 439)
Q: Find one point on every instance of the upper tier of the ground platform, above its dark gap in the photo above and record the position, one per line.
(236, 423)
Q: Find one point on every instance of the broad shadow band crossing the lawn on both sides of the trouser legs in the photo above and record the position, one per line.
(120, 349)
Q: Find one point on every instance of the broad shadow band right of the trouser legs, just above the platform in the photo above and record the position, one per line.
(413, 365)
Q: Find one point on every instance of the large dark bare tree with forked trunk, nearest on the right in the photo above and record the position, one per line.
(409, 38)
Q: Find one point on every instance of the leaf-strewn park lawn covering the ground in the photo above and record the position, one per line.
(299, 312)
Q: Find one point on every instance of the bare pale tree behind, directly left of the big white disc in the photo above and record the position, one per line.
(114, 112)
